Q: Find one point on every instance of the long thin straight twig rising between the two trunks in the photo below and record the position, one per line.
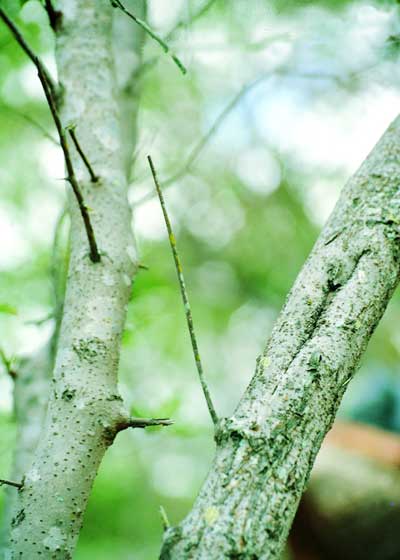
(185, 298)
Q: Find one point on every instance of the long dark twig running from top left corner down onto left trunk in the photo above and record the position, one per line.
(49, 93)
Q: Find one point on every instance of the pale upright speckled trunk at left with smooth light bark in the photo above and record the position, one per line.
(85, 408)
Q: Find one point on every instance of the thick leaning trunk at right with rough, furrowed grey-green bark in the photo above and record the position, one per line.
(265, 451)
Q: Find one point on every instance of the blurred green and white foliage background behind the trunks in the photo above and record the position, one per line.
(281, 103)
